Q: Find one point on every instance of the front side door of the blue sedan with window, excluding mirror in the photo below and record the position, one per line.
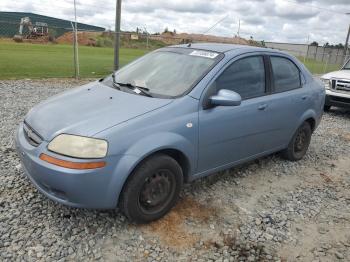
(228, 134)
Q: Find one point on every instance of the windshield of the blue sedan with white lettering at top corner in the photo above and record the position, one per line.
(170, 72)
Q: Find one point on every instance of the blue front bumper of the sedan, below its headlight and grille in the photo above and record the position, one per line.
(93, 188)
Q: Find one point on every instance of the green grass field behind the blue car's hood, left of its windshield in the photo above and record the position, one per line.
(25, 60)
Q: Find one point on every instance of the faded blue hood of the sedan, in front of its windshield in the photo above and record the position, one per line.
(87, 110)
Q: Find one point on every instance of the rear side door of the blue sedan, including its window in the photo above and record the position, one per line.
(288, 101)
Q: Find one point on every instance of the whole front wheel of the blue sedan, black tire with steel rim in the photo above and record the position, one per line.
(152, 189)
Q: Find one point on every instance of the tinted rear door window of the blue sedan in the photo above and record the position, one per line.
(285, 73)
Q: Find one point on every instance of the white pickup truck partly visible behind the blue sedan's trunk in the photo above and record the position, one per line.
(337, 86)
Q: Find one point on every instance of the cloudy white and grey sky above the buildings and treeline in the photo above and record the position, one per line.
(292, 21)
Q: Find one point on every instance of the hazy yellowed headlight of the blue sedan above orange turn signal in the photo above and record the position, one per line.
(78, 146)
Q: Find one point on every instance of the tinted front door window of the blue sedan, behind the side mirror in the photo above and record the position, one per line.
(245, 76)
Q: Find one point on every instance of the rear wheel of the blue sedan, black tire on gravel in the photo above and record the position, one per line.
(299, 144)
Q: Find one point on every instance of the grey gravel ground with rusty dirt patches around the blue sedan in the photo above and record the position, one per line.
(267, 210)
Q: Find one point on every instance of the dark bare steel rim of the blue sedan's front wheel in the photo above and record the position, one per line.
(156, 191)
